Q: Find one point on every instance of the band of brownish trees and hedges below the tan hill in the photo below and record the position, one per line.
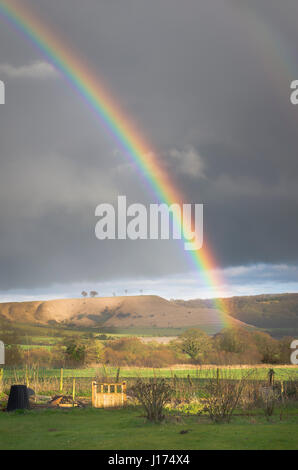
(194, 346)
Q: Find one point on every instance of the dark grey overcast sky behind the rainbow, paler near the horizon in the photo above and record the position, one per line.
(208, 84)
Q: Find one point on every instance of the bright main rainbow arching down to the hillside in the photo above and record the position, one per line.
(128, 138)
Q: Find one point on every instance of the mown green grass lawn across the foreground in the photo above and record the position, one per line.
(126, 429)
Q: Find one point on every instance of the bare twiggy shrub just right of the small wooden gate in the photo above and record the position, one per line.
(153, 396)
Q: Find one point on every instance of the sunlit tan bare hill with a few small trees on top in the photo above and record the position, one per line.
(143, 311)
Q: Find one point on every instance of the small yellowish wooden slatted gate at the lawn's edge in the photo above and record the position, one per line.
(108, 395)
